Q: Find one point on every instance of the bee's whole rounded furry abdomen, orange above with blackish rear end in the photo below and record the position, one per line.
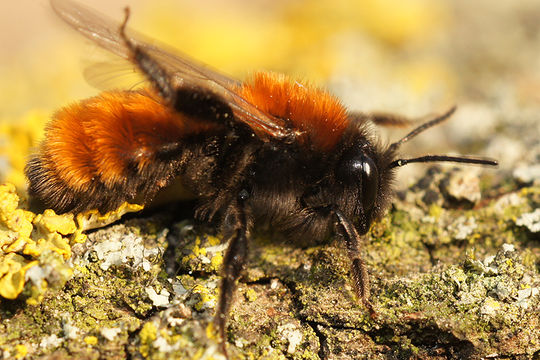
(106, 150)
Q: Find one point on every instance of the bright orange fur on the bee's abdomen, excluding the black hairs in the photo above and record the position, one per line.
(96, 139)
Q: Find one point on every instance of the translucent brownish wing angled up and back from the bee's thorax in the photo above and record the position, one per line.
(183, 70)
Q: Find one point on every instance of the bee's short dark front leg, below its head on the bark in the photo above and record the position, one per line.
(358, 266)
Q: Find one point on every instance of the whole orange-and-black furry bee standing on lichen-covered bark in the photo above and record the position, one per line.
(268, 151)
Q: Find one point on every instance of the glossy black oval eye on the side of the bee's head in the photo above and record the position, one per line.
(360, 170)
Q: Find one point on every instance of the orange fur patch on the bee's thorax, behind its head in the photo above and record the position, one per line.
(309, 109)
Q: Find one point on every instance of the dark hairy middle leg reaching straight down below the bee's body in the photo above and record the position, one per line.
(236, 229)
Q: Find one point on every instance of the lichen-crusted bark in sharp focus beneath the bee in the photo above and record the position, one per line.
(445, 282)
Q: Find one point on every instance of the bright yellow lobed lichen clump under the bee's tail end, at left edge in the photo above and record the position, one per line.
(28, 240)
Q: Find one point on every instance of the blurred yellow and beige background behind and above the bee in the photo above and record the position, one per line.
(414, 57)
